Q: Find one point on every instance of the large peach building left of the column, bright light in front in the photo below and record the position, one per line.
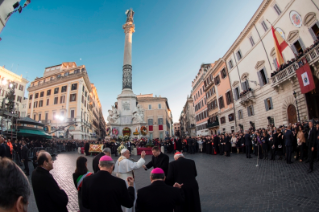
(65, 101)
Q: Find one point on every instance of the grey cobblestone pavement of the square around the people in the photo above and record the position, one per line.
(225, 184)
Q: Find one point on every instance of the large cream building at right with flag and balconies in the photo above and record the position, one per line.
(261, 98)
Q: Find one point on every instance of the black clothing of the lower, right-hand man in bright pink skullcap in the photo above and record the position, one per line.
(158, 197)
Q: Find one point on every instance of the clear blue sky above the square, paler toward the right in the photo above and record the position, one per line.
(172, 39)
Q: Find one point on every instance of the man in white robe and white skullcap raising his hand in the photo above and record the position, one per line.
(124, 169)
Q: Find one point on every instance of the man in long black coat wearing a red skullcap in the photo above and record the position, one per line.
(183, 171)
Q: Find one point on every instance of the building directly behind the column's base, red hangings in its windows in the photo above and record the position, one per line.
(157, 115)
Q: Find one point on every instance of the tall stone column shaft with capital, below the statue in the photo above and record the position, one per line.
(129, 29)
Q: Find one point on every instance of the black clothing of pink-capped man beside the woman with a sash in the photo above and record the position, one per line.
(104, 192)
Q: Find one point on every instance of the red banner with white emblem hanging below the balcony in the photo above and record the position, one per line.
(305, 79)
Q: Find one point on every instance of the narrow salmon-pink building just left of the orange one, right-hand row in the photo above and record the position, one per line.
(200, 101)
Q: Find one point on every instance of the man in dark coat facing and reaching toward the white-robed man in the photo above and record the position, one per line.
(159, 160)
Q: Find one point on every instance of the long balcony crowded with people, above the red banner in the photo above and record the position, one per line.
(289, 73)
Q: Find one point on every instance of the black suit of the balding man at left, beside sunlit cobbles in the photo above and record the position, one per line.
(48, 195)
